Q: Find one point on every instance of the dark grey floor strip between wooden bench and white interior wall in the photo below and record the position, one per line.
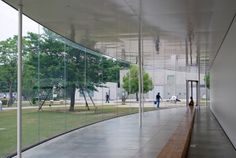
(208, 139)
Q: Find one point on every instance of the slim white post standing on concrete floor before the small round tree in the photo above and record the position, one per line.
(140, 62)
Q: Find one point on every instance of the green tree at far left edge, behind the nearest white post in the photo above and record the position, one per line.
(8, 66)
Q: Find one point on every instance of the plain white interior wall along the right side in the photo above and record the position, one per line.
(223, 85)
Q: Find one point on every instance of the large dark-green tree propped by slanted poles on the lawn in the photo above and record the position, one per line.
(85, 69)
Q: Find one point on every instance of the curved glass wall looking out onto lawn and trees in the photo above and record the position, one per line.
(67, 85)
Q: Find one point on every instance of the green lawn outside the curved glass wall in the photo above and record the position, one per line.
(38, 126)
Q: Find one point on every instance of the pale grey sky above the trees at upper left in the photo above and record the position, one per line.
(9, 22)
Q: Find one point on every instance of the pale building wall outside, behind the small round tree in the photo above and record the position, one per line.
(159, 78)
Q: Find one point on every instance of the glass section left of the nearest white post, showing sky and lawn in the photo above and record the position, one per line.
(8, 60)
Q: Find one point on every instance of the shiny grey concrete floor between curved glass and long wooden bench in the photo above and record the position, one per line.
(116, 138)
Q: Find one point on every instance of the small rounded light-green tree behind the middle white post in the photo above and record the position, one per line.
(131, 83)
